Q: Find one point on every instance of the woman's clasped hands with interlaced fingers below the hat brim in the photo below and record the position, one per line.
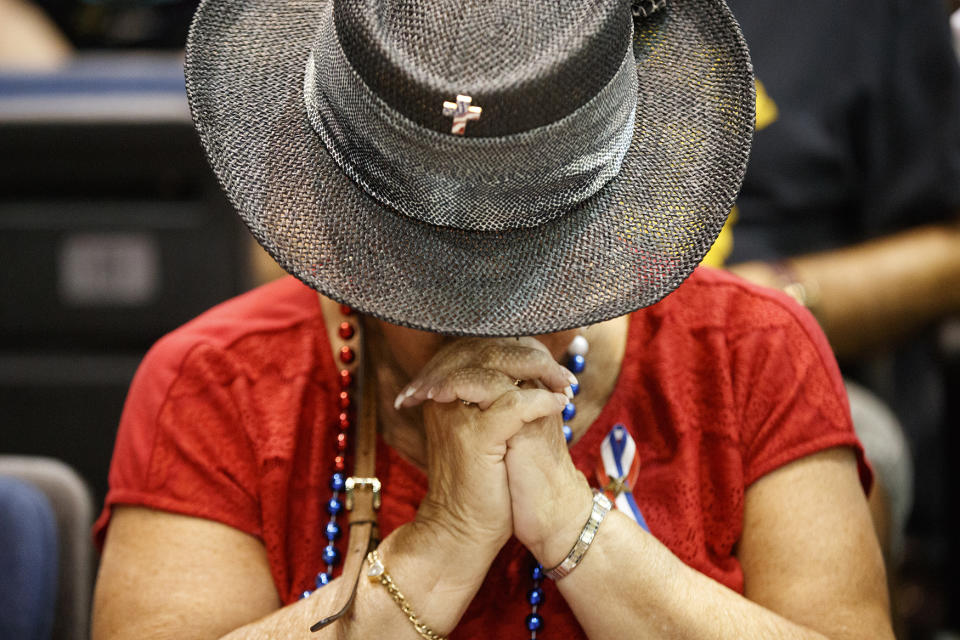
(497, 460)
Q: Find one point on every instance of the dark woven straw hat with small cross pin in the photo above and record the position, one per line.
(485, 168)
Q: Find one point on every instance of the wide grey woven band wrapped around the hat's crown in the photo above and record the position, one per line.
(476, 184)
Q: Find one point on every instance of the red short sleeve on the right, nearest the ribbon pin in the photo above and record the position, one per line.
(788, 388)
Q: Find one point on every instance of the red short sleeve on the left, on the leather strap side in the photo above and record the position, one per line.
(181, 445)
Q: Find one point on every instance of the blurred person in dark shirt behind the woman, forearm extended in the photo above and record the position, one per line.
(850, 204)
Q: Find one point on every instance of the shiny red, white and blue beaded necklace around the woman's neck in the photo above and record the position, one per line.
(346, 356)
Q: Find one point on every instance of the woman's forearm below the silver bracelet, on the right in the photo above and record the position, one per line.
(661, 597)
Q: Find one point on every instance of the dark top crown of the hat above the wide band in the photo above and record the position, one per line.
(526, 65)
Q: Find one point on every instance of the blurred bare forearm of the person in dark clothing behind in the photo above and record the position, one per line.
(877, 291)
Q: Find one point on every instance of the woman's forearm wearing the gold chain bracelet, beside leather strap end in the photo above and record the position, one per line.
(437, 574)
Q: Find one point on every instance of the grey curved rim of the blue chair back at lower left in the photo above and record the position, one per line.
(70, 498)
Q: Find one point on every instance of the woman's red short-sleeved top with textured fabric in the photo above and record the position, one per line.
(232, 416)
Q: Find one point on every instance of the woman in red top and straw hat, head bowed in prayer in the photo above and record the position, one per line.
(498, 170)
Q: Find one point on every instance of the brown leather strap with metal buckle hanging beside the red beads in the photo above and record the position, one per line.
(363, 492)
